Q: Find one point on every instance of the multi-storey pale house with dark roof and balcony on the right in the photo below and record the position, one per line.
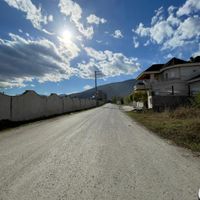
(174, 79)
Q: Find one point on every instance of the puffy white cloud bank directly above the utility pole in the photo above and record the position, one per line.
(109, 63)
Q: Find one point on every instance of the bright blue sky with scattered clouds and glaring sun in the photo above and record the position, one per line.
(54, 46)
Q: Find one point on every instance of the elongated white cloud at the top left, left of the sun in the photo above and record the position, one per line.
(33, 13)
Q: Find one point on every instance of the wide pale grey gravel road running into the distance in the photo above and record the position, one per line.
(96, 154)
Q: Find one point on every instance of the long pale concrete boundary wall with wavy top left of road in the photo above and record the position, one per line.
(30, 105)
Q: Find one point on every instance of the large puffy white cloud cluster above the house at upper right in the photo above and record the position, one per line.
(173, 31)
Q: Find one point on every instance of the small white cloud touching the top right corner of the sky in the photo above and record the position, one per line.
(190, 6)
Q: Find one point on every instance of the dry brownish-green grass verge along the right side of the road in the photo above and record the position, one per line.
(181, 126)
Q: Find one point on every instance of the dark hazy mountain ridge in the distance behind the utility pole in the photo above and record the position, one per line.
(119, 89)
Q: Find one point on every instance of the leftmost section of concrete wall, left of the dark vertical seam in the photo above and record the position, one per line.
(5, 106)
